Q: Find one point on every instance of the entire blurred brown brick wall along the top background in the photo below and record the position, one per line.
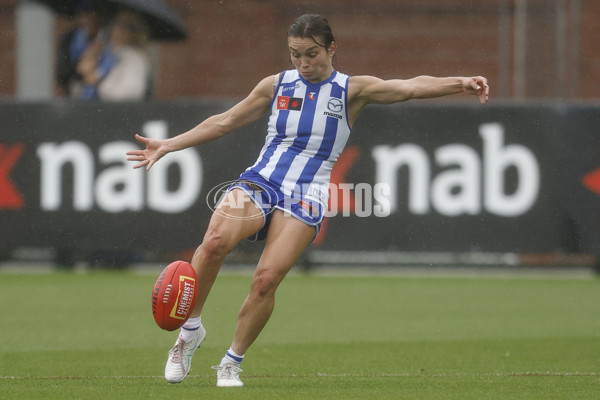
(234, 43)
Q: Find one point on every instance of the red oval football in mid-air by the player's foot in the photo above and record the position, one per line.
(174, 295)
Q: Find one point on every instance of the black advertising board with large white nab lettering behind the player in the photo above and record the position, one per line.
(413, 177)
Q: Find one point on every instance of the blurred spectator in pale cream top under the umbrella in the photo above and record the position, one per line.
(120, 69)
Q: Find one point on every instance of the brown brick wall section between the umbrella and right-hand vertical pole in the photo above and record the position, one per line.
(234, 44)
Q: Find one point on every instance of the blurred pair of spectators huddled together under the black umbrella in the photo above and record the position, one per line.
(105, 55)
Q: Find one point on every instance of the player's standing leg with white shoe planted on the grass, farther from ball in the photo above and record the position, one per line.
(286, 240)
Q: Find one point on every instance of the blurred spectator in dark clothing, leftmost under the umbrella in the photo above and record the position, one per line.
(91, 19)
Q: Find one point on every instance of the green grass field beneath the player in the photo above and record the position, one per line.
(92, 336)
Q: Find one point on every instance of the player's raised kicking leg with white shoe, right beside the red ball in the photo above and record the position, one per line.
(231, 223)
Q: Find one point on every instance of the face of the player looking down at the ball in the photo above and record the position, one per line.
(313, 62)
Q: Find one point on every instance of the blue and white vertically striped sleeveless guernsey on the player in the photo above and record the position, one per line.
(308, 129)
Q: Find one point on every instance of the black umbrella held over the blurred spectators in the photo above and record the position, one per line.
(163, 22)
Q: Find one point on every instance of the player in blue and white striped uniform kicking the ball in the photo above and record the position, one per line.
(283, 196)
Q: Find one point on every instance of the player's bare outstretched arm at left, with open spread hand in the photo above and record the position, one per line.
(248, 110)
